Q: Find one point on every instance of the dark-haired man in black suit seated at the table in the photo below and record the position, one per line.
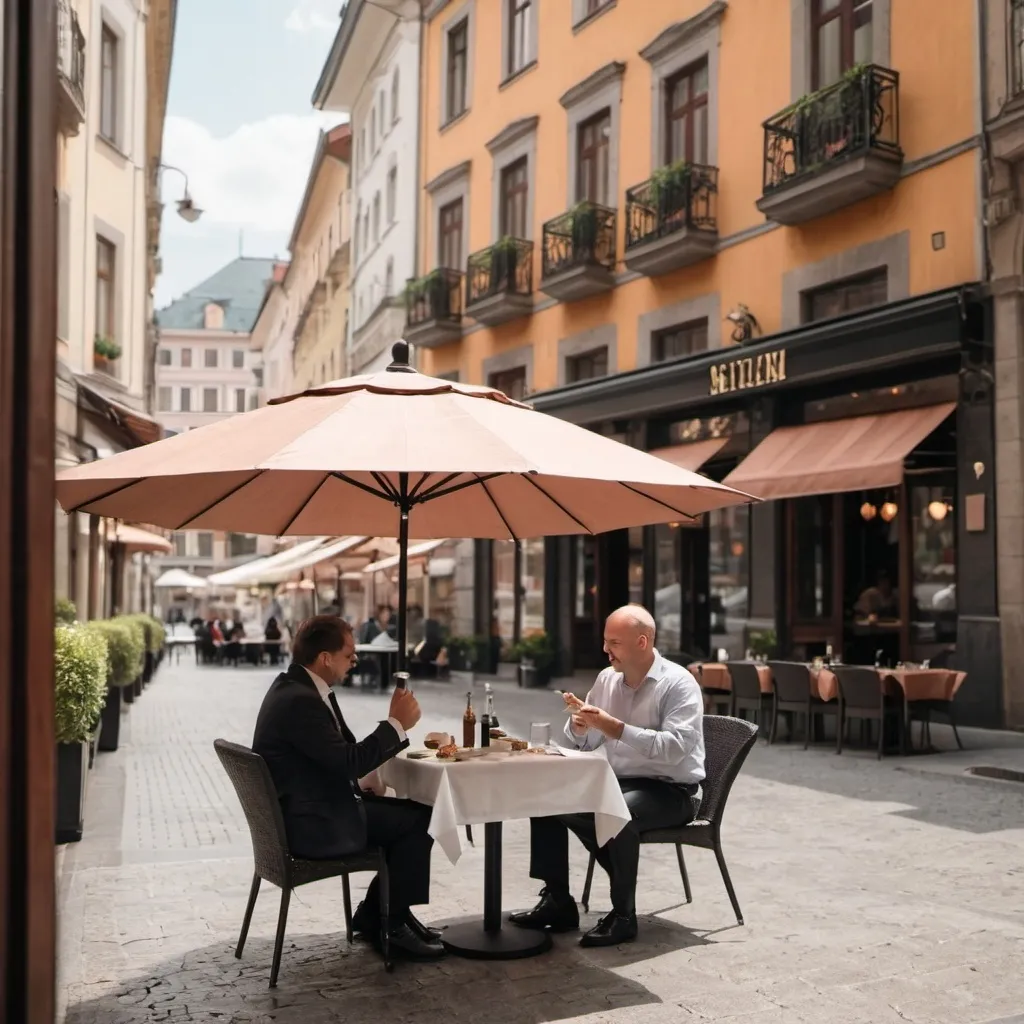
(332, 799)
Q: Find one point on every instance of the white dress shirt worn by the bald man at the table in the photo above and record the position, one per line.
(663, 733)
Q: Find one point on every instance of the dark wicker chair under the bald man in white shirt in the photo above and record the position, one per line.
(728, 742)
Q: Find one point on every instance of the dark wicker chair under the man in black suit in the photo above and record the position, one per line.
(252, 782)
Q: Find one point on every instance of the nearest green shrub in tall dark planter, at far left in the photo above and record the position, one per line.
(80, 664)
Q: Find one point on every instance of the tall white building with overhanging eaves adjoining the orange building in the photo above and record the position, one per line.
(372, 74)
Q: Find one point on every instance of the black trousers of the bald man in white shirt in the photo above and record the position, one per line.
(653, 804)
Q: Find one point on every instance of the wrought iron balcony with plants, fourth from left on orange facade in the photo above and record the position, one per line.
(672, 220)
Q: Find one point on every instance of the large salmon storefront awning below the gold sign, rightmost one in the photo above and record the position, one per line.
(836, 456)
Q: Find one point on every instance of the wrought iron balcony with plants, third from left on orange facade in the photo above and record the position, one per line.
(578, 253)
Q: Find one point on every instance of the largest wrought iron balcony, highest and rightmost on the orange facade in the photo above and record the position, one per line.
(834, 148)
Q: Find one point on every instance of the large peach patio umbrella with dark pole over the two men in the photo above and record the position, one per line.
(395, 453)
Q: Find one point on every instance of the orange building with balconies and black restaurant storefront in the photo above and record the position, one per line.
(618, 194)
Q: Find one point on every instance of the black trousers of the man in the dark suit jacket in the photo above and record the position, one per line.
(400, 827)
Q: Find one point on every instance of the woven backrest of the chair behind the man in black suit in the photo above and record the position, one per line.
(255, 789)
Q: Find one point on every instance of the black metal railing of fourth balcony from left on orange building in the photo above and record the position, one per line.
(685, 196)
